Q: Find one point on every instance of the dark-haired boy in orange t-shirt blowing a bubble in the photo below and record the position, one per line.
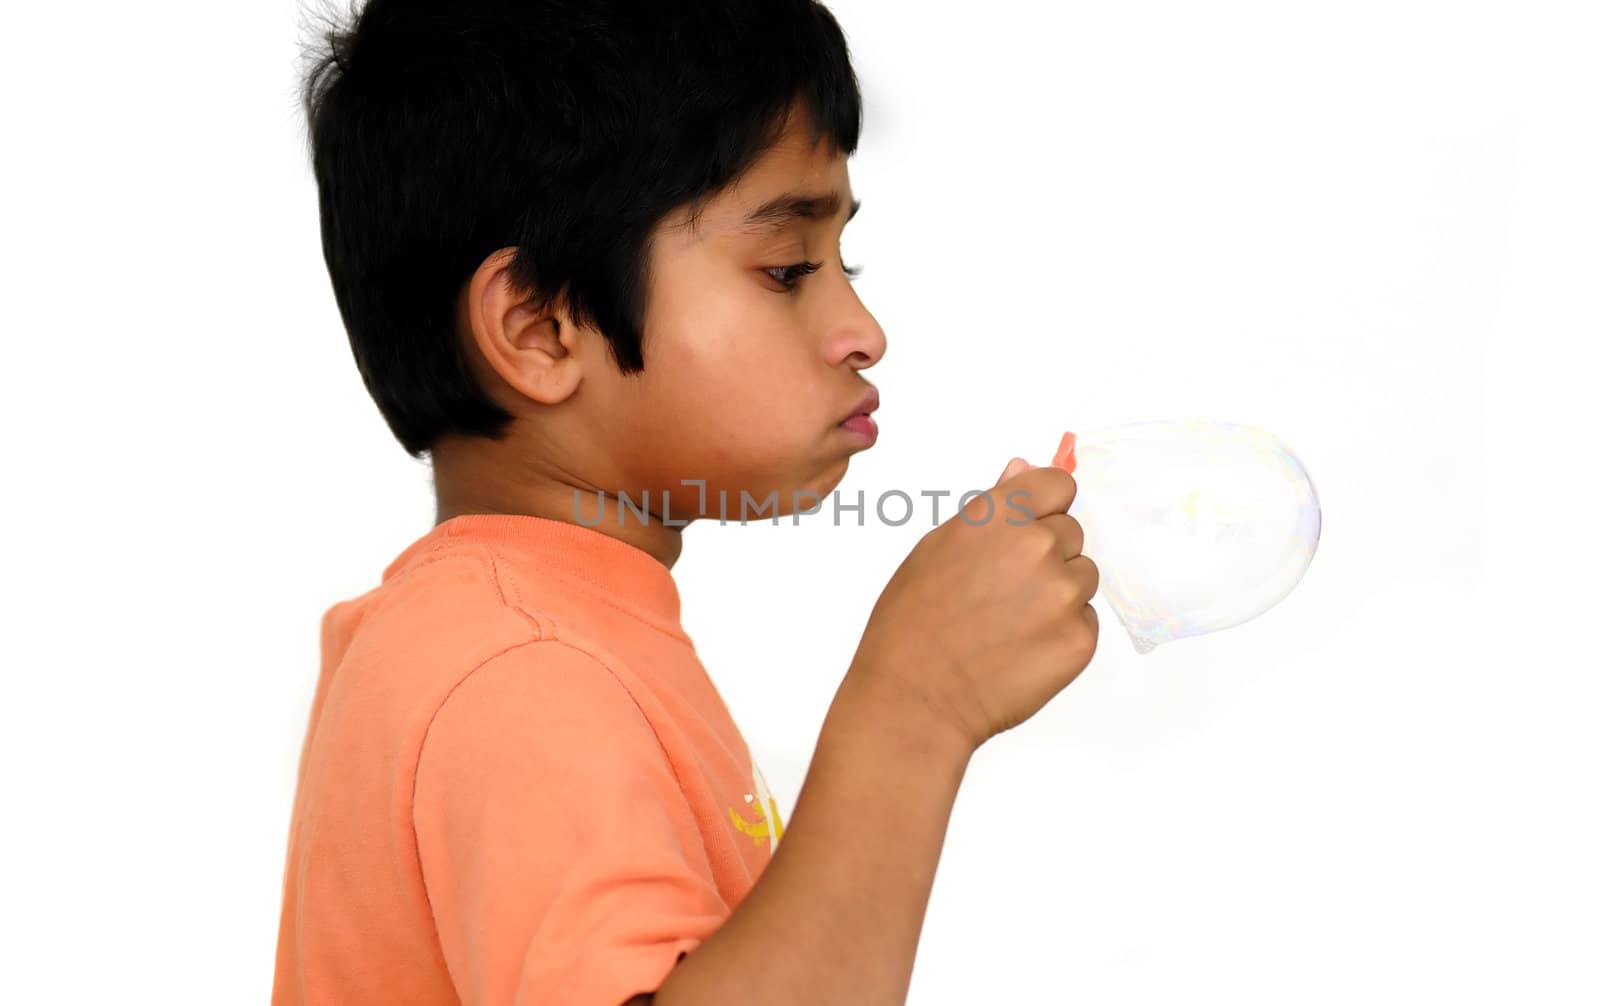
(519, 784)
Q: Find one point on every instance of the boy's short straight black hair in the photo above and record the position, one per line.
(444, 130)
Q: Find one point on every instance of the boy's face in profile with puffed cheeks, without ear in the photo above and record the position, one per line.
(745, 383)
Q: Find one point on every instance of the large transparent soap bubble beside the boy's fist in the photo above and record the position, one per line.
(1196, 527)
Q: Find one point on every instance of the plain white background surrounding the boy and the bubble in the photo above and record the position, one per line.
(1369, 228)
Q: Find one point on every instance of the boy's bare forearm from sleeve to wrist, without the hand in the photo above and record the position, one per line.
(838, 914)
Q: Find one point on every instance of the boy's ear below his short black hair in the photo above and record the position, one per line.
(529, 349)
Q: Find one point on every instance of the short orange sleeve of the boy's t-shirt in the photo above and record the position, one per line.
(561, 858)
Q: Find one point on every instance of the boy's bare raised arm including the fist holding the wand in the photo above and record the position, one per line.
(982, 625)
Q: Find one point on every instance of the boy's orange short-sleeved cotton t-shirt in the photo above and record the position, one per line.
(518, 786)
